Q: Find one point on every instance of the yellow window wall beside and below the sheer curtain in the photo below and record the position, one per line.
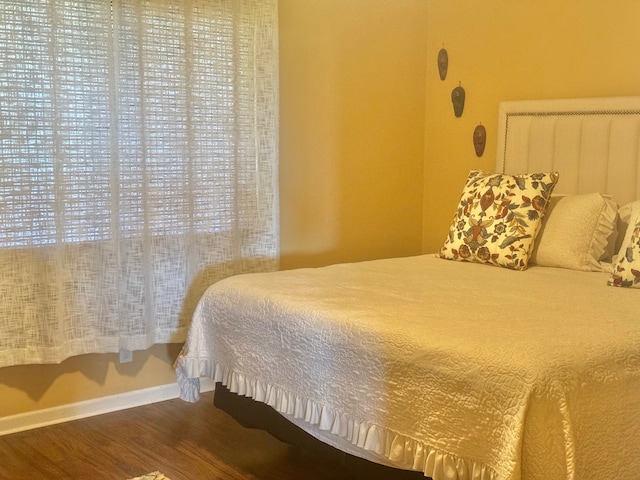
(352, 115)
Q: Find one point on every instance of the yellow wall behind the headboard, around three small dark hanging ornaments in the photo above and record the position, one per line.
(510, 50)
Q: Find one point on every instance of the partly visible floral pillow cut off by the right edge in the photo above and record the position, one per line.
(626, 271)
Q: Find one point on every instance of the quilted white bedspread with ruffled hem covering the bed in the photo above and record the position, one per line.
(462, 371)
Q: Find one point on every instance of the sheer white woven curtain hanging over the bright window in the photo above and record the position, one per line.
(138, 165)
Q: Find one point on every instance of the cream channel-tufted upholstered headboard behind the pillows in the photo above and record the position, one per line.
(594, 143)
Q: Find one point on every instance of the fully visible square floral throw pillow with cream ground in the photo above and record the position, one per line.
(498, 218)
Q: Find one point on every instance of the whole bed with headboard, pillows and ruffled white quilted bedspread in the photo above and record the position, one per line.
(511, 353)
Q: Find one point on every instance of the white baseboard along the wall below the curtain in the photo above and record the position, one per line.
(89, 408)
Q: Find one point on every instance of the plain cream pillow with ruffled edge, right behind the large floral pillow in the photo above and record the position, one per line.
(578, 232)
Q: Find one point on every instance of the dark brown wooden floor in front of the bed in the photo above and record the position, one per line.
(184, 441)
